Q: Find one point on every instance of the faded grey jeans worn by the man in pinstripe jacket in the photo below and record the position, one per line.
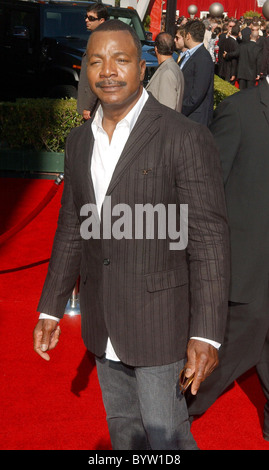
(144, 408)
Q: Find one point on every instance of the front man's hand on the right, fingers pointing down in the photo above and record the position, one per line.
(202, 360)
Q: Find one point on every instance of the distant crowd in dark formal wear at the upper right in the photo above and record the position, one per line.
(238, 48)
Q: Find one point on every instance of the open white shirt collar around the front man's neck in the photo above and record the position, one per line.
(129, 120)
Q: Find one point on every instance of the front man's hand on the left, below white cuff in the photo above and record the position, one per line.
(46, 336)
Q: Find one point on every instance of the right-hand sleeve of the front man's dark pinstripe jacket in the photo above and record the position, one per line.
(199, 184)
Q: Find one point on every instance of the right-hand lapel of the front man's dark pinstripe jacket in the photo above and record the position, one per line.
(144, 130)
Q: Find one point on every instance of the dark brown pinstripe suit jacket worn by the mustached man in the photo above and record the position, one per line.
(148, 299)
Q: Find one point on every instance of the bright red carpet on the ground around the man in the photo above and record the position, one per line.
(57, 405)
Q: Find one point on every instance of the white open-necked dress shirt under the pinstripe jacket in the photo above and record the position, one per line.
(105, 157)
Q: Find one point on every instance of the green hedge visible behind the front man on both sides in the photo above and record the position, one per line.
(43, 124)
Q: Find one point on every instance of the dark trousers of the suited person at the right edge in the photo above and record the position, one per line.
(246, 345)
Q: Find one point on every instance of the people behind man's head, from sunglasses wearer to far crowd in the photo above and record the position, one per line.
(239, 52)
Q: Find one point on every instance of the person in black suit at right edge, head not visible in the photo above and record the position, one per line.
(241, 131)
